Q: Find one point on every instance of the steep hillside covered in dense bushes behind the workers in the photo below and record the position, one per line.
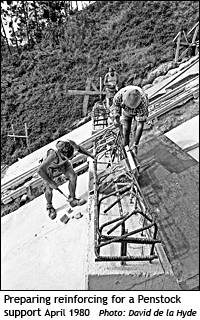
(134, 36)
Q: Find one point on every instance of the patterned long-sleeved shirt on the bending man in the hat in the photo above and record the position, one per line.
(140, 113)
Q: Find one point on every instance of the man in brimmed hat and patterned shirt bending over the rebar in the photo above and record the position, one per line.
(132, 103)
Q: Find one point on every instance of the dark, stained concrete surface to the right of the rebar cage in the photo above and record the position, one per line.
(170, 182)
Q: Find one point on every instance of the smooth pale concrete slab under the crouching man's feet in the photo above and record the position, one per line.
(40, 254)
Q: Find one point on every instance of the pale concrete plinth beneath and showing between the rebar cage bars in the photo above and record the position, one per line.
(141, 274)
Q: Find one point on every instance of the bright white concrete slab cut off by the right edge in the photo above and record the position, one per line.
(186, 135)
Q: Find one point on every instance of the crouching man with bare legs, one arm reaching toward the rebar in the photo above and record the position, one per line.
(57, 162)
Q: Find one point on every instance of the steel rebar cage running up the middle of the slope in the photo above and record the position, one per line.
(117, 192)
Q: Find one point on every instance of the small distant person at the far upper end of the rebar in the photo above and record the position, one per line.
(111, 80)
